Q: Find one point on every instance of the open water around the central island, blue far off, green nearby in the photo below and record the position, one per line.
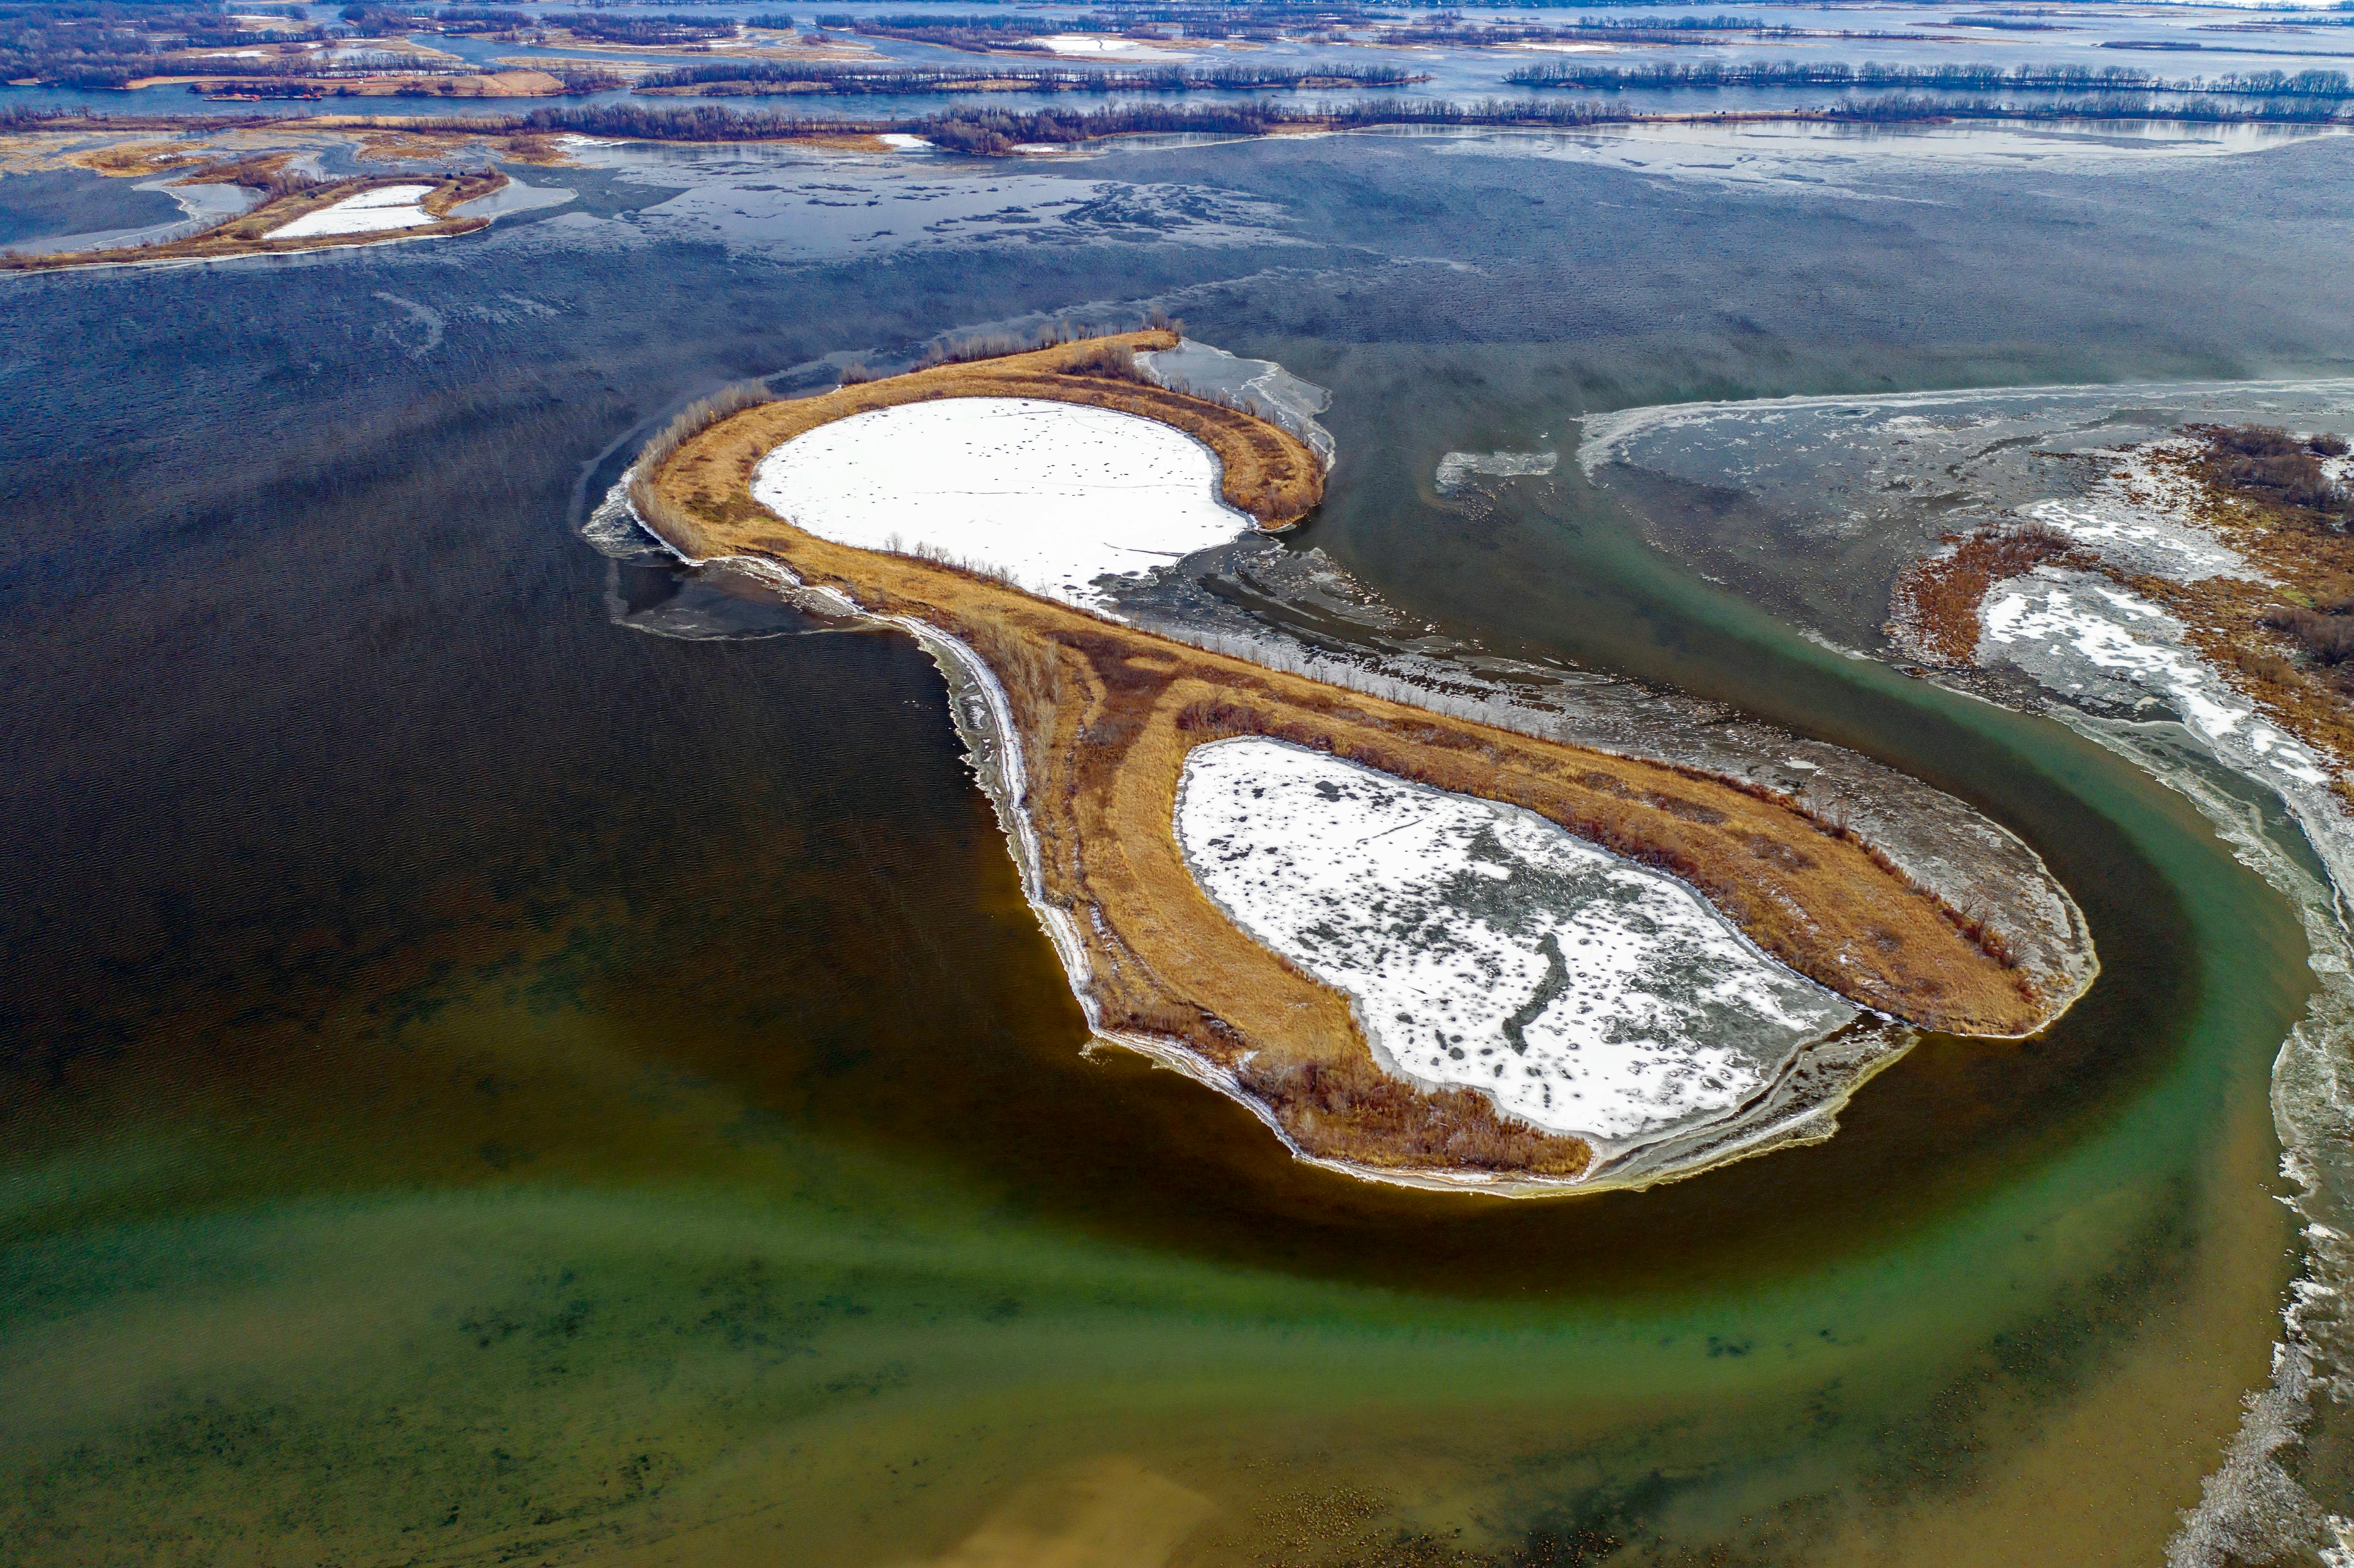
(488, 1084)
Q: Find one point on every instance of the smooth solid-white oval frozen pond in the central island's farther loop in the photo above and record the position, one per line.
(1051, 496)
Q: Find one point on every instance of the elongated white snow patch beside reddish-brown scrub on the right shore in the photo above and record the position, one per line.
(2092, 642)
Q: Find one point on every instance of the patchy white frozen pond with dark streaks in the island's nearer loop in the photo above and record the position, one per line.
(1487, 948)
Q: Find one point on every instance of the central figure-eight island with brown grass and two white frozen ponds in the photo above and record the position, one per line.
(1414, 945)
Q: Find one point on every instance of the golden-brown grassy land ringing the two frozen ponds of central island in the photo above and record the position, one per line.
(1105, 715)
